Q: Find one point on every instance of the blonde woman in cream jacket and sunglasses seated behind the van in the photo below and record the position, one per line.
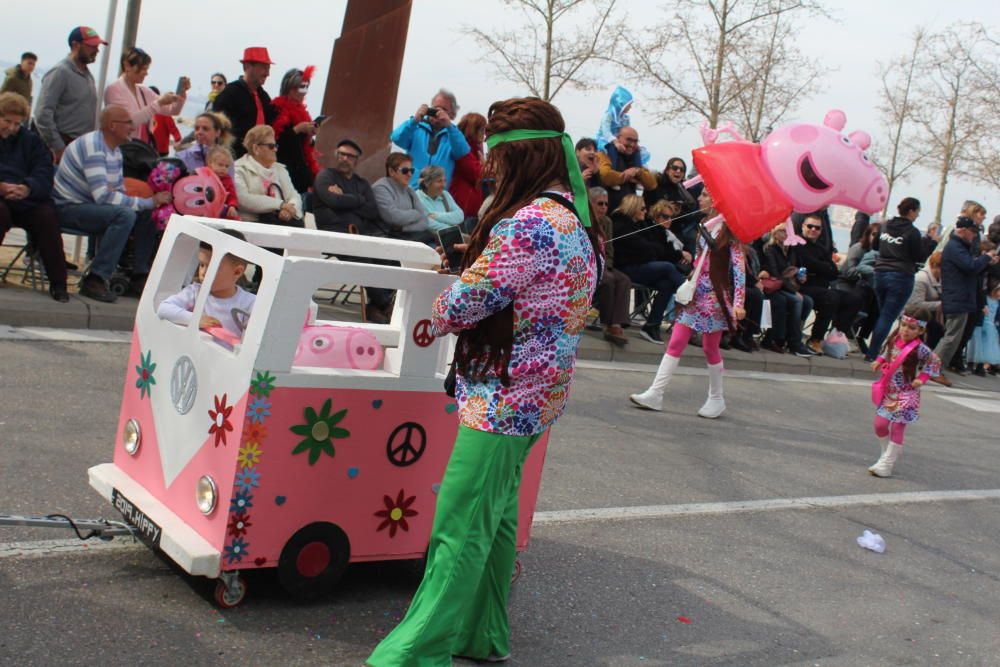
(263, 185)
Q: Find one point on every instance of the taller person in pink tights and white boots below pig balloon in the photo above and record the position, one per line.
(716, 307)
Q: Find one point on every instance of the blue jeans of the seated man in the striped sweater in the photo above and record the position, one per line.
(113, 224)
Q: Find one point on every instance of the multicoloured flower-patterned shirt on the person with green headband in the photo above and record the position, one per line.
(541, 260)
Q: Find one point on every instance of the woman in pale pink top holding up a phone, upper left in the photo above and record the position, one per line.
(139, 100)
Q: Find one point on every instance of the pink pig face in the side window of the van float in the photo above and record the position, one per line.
(328, 346)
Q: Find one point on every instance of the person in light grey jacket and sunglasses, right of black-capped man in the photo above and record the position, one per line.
(399, 207)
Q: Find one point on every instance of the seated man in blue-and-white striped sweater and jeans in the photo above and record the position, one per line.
(90, 197)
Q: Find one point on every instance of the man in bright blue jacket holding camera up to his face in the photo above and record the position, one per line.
(430, 137)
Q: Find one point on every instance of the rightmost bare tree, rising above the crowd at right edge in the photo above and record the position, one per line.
(953, 106)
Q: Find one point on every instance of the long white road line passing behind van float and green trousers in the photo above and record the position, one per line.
(45, 548)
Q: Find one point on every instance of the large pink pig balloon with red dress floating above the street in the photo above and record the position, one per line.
(800, 167)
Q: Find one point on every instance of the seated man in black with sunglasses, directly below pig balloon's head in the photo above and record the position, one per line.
(831, 304)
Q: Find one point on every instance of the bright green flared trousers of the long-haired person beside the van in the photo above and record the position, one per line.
(460, 607)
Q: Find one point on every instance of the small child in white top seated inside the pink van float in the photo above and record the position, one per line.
(224, 297)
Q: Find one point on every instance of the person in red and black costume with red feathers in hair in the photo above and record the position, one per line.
(294, 129)
